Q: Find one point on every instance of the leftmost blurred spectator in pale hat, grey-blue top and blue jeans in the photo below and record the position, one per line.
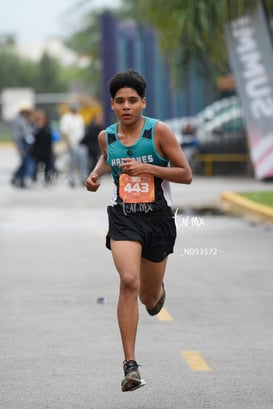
(22, 133)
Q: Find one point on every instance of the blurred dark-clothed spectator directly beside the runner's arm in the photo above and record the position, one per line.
(90, 140)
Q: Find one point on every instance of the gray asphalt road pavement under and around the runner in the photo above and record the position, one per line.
(60, 349)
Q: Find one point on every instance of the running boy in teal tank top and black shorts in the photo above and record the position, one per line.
(143, 156)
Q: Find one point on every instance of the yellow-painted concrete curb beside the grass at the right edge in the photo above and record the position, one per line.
(236, 204)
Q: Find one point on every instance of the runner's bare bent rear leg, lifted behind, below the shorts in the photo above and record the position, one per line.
(151, 279)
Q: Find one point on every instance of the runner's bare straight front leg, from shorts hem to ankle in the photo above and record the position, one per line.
(127, 259)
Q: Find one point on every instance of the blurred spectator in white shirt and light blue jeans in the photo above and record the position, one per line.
(72, 129)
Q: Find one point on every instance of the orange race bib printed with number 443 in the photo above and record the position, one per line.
(136, 189)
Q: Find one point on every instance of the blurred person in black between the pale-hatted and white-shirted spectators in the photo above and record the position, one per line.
(42, 151)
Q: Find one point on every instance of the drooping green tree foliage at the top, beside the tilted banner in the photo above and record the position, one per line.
(192, 29)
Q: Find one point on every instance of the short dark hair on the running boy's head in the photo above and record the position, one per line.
(130, 79)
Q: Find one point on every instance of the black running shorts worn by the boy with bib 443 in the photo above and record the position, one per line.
(155, 230)
